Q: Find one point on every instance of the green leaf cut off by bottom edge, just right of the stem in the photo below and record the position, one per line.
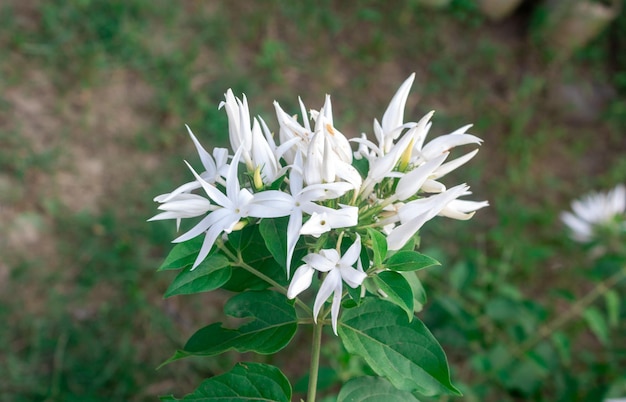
(373, 389)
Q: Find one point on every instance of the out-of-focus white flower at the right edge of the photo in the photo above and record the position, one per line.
(596, 210)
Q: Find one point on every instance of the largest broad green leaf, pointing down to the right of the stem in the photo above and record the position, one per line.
(404, 352)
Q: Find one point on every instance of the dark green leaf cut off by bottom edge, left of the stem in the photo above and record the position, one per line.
(245, 382)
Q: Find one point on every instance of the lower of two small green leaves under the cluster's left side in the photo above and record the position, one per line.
(212, 273)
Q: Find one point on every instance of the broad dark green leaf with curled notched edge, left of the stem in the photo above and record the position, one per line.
(273, 323)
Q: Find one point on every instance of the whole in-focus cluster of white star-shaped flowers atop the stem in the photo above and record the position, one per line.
(309, 175)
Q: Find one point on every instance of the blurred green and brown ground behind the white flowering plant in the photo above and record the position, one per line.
(94, 96)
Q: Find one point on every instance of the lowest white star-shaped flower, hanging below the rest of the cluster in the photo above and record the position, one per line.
(339, 269)
